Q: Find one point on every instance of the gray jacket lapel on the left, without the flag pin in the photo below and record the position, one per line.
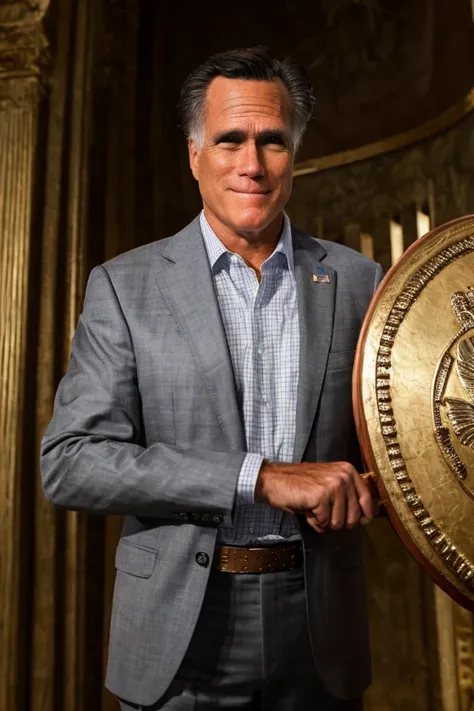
(185, 281)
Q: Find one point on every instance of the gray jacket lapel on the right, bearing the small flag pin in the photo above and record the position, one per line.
(316, 313)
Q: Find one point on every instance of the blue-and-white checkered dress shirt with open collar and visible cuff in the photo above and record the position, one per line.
(262, 328)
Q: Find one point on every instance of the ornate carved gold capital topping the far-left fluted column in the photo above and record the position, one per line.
(22, 51)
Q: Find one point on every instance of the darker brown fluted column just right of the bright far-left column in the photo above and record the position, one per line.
(65, 673)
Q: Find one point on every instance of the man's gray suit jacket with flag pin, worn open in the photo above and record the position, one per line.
(146, 424)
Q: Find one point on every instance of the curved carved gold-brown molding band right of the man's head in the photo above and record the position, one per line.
(440, 168)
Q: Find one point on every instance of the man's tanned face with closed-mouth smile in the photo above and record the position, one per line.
(244, 167)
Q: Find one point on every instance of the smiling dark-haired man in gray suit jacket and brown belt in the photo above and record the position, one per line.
(208, 399)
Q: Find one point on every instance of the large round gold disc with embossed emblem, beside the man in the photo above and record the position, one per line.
(414, 402)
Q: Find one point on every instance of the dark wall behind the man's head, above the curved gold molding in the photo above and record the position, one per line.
(378, 67)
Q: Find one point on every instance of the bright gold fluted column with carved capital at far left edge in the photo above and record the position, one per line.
(21, 45)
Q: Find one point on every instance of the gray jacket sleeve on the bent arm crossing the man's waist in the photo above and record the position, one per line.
(92, 458)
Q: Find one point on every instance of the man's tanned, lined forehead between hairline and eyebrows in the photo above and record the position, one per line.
(230, 101)
